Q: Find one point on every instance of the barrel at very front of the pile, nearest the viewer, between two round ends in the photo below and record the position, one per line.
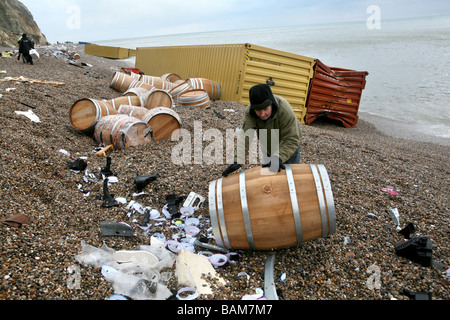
(122, 131)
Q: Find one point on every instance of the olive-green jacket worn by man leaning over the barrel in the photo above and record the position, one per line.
(284, 119)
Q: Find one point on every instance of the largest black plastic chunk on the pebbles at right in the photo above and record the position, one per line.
(418, 249)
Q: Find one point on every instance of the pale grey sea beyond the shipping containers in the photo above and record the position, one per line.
(408, 60)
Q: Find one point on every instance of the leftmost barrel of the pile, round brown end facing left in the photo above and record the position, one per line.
(85, 113)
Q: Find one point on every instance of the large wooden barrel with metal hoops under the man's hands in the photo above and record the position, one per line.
(257, 210)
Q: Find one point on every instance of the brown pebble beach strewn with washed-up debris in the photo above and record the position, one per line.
(35, 181)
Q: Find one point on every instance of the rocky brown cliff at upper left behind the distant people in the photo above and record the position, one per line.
(15, 19)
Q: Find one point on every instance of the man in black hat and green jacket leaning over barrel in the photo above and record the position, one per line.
(277, 127)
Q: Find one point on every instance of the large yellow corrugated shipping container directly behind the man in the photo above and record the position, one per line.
(237, 68)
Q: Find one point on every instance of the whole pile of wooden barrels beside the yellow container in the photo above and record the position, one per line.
(144, 112)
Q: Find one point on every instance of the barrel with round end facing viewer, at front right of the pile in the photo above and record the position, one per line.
(164, 122)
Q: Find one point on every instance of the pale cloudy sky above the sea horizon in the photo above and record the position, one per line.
(88, 20)
